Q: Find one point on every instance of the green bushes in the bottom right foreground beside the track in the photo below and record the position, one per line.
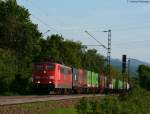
(137, 101)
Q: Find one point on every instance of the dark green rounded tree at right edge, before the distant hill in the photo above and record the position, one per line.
(144, 76)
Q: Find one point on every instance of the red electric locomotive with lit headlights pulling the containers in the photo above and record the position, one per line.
(53, 77)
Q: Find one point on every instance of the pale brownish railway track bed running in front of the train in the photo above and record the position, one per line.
(13, 100)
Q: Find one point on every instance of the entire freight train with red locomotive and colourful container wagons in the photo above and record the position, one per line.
(60, 79)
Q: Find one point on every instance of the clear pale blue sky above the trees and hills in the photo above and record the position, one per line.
(129, 22)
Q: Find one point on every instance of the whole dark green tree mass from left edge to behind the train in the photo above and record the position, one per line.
(21, 44)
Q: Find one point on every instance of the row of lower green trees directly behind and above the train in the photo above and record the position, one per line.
(71, 53)
